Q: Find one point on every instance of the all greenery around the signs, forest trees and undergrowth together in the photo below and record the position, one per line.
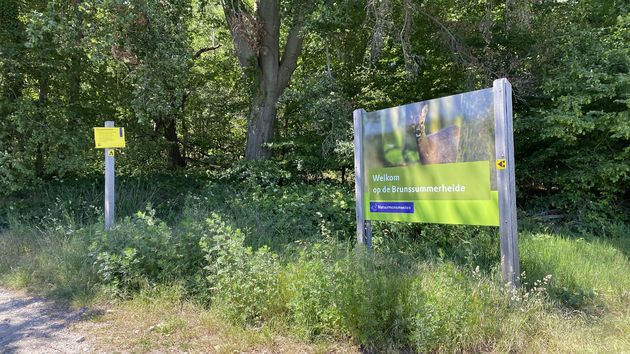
(235, 187)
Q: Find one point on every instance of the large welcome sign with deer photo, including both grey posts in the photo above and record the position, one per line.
(448, 160)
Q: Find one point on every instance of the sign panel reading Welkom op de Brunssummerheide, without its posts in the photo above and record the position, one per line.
(432, 161)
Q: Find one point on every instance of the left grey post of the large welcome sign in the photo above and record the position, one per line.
(364, 228)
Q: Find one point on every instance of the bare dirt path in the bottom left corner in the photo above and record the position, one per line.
(35, 325)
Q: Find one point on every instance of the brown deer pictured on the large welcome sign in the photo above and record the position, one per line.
(439, 147)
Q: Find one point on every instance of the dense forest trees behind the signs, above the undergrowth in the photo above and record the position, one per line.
(201, 84)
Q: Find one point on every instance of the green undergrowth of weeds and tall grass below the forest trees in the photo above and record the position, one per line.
(258, 250)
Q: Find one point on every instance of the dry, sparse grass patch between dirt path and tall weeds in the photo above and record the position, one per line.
(161, 319)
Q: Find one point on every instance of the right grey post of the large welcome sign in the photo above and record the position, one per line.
(506, 183)
